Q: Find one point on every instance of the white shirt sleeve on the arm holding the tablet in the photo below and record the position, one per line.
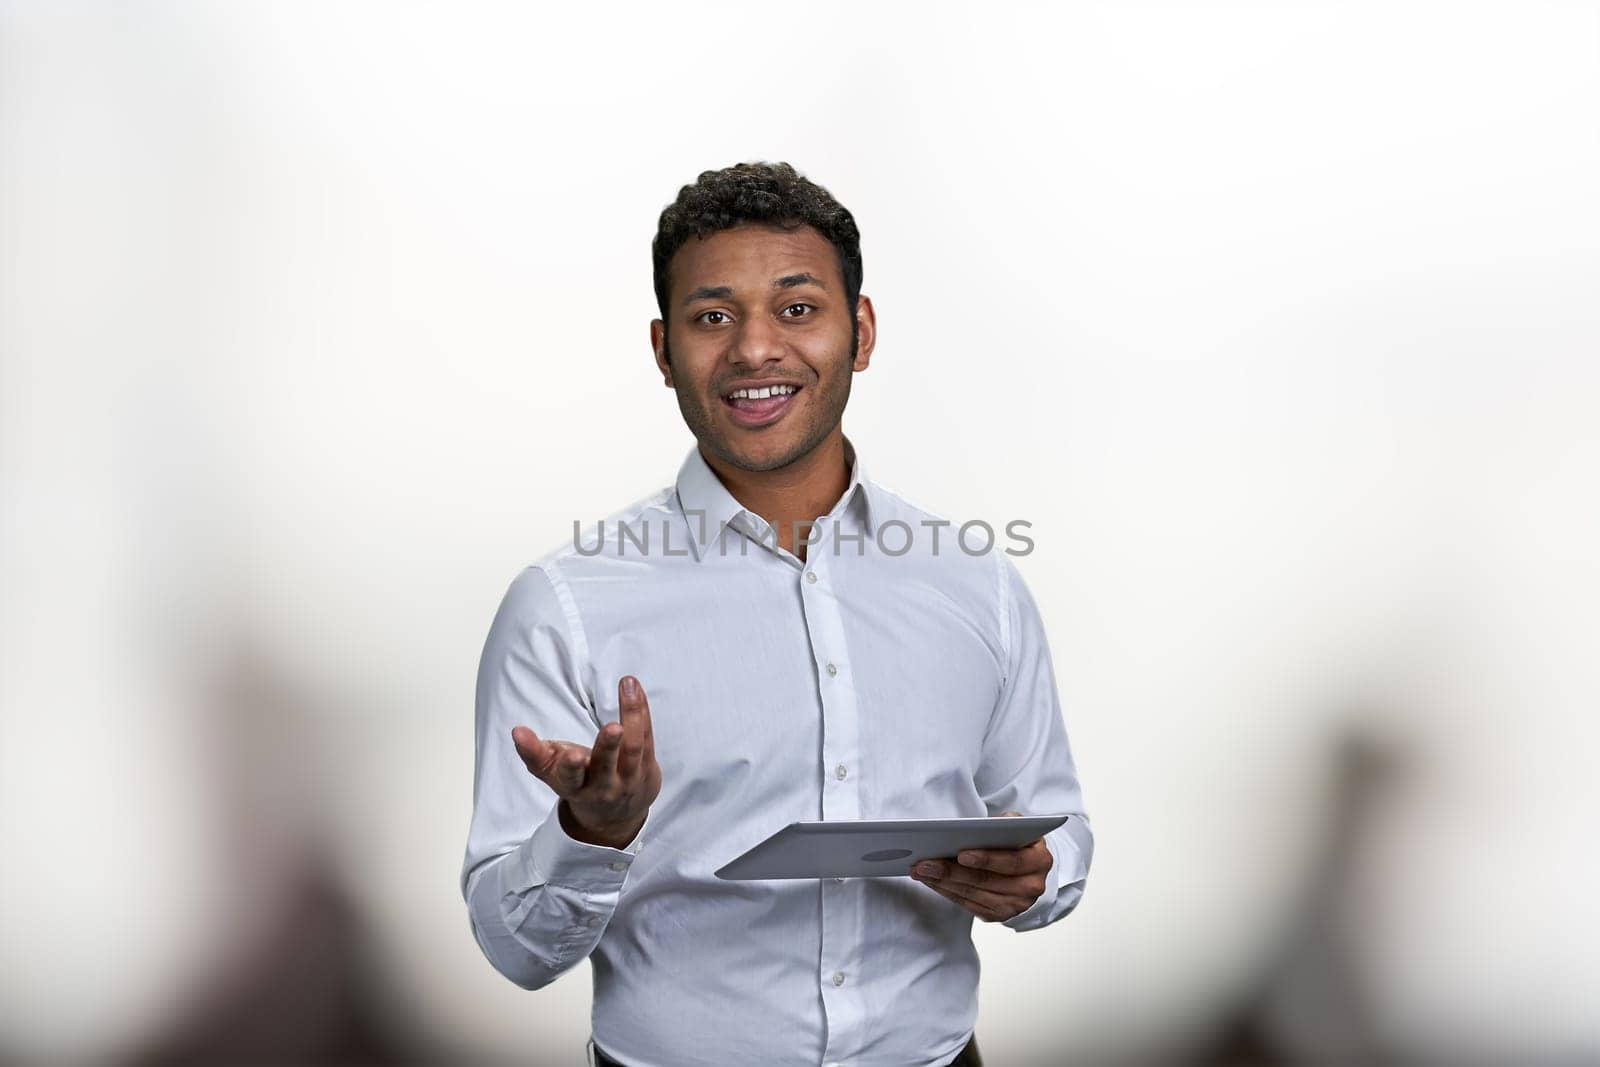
(1026, 762)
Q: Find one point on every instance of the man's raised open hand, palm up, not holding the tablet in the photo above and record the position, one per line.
(606, 789)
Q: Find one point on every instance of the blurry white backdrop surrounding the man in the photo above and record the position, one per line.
(1276, 321)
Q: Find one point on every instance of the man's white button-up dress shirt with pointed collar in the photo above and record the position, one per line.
(860, 684)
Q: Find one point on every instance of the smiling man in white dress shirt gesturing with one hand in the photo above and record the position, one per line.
(762, 644)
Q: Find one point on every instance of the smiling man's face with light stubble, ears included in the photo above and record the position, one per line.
(759, 306)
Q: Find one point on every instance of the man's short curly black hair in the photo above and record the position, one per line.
(774, 194)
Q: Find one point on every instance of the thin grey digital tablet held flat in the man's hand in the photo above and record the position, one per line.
(879, 849)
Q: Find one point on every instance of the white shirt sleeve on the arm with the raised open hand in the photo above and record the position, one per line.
(538, 900)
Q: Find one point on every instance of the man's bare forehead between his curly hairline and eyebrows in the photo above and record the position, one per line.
(753, 255)
